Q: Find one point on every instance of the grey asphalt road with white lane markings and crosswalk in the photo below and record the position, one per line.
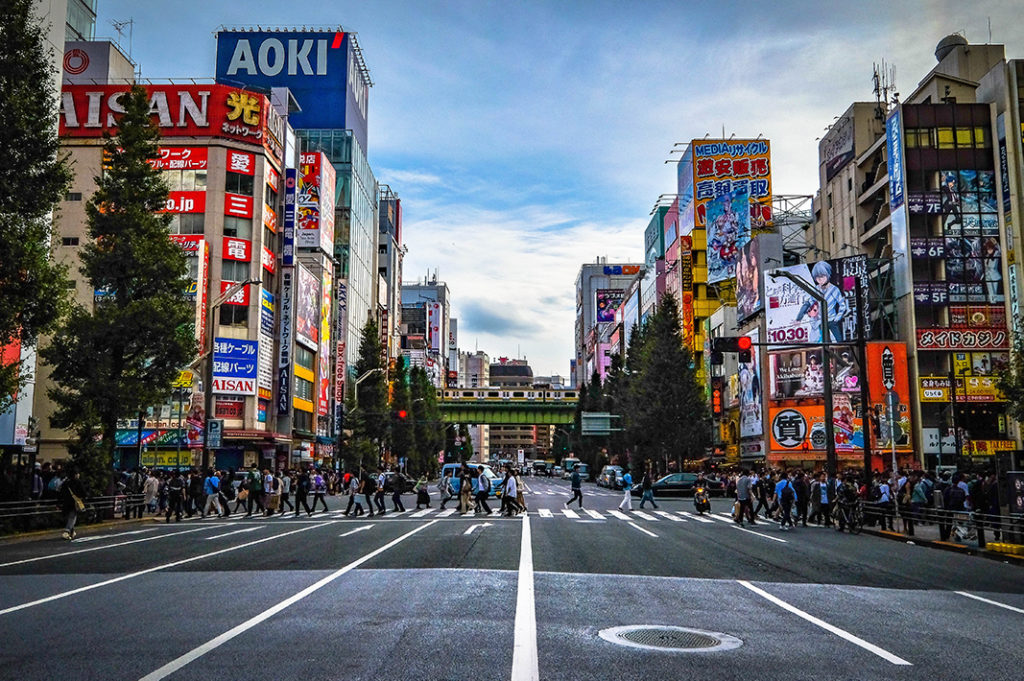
(438, 598)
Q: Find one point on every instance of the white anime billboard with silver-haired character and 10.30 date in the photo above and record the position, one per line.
(793, 315)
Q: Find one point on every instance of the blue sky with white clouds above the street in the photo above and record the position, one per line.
(529, 138)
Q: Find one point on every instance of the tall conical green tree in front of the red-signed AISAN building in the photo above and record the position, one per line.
(114, 361)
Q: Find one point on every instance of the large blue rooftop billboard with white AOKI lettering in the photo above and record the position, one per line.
(324, 70)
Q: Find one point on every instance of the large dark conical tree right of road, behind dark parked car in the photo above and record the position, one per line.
(669, 408)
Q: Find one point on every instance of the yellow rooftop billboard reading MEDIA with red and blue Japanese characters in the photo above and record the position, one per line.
(732, 166)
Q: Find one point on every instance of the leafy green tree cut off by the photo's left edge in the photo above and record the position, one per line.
(34, 177)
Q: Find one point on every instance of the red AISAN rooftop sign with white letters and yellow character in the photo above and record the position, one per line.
(180, 111)
